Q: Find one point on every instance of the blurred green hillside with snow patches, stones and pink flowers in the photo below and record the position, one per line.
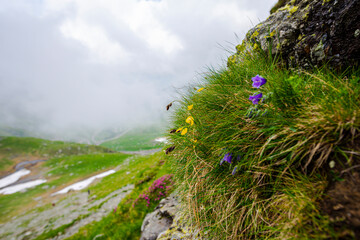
(39, 212)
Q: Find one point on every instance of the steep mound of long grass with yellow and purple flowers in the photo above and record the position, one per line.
(285, 152)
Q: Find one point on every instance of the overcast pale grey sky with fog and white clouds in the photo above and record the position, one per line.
(102, 63)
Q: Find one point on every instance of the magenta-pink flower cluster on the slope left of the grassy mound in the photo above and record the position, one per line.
(159, 189)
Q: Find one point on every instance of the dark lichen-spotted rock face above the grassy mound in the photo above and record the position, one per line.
(310, 33)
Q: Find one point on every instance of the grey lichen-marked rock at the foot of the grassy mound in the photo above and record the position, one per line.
(168, 222)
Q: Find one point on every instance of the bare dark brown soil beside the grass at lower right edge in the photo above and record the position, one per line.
(342, 204)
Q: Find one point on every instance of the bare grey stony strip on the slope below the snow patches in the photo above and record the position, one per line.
(63, 212)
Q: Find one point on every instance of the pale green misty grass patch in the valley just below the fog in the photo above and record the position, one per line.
(135, 140)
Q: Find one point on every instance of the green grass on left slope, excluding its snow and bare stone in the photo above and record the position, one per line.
(76, 162)
